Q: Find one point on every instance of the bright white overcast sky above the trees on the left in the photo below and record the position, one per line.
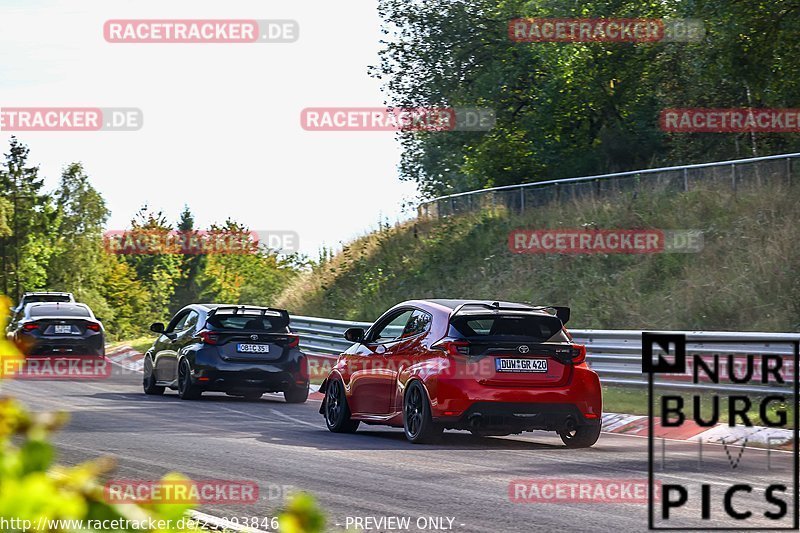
(221, 129)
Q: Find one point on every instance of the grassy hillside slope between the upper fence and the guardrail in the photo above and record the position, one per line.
(747, 277)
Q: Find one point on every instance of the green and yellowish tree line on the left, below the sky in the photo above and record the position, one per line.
(54, 240)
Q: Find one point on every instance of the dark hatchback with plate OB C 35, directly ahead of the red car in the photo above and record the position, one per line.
(240, 350)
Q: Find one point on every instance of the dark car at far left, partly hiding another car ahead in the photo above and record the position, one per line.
(58, 328)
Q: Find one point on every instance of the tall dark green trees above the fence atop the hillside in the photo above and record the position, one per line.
(576, 109)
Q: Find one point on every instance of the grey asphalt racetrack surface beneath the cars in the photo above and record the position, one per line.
(376, 472)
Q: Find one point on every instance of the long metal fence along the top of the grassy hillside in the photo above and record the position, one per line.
(729, 174)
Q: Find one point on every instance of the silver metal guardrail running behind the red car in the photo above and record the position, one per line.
(616, 355)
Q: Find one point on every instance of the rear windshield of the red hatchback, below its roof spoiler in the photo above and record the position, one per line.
(530, 327)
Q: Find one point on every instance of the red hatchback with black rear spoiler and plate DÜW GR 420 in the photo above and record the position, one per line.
(493, 368)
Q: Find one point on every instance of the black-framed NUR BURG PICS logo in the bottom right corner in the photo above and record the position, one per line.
(731, 498)
